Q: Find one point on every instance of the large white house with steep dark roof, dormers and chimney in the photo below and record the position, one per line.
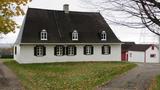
(65, 36)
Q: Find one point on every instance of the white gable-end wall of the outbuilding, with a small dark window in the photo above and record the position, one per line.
(149, 51)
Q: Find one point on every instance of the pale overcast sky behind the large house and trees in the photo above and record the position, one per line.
(123, 33)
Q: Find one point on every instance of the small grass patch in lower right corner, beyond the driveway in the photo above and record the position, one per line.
(155, 84)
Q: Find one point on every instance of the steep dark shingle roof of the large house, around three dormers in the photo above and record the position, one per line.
(60, 26)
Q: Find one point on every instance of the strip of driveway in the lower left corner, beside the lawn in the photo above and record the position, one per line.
(8, 81)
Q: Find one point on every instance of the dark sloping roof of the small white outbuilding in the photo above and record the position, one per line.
(139, 47)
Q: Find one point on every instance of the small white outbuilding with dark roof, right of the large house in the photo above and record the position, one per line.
(143, 53)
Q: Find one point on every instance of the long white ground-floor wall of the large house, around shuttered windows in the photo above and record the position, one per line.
(26, 55)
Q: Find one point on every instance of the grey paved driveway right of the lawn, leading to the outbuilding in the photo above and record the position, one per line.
(138, 78)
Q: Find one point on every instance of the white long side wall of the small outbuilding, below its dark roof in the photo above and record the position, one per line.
(136, 56)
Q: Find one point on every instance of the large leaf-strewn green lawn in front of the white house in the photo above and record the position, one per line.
(67, 76)
